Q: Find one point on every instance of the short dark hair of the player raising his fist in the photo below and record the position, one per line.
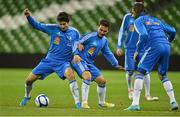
(63, 16)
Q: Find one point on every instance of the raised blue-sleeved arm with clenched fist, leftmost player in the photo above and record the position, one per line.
(35, 24)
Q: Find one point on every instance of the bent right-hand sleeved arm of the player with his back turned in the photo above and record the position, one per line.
(170, 30)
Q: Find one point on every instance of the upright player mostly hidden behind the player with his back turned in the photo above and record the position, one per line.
(130, 36)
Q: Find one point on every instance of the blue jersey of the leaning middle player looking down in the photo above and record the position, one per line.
(93, 44)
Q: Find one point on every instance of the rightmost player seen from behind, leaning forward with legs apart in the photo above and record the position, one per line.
(153, 38)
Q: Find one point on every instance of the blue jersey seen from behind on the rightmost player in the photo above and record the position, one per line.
(152, 32)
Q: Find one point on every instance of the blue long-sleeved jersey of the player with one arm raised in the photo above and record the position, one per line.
(61, 42)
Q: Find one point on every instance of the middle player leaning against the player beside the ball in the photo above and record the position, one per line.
(83, 62)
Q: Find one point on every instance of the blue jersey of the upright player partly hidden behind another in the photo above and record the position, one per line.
(127, 33)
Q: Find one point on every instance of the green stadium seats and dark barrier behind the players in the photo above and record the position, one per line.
(22, 46)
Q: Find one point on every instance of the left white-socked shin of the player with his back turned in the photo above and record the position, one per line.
(138, 85)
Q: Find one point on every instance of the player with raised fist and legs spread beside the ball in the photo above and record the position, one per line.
(62, 38)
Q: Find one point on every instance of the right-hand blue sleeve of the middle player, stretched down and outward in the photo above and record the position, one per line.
(109, 55)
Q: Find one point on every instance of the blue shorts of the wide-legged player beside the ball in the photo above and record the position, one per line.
(46, 67)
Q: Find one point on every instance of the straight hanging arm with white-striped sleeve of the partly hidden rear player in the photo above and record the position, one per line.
(121, 35)
